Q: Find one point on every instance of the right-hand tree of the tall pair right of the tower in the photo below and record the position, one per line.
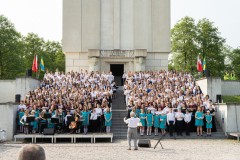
(211, 45)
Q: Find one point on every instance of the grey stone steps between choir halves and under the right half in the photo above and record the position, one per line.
(119, 128)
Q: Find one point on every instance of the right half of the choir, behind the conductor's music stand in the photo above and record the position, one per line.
(169, 101)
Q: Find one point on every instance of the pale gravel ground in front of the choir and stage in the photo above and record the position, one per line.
(173, 150)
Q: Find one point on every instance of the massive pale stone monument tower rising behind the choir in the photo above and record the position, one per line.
(116, 35)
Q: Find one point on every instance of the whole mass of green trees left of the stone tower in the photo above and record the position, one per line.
(17, 52)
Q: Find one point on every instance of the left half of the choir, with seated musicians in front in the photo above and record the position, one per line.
(73, 102)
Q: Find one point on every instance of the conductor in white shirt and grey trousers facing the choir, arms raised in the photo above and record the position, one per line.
(132, 130)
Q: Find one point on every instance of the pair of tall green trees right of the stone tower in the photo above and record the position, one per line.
(190, 39)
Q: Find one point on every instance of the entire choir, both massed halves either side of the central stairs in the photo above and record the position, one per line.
(81, 102)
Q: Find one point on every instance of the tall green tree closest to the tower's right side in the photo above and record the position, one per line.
(183, 37)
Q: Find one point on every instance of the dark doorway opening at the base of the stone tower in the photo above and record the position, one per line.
(117, 70)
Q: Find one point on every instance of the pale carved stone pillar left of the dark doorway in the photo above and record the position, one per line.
(94, 60)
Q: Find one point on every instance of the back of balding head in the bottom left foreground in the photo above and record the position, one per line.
(32, 151)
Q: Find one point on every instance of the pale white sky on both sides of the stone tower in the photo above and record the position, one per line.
(44, 17)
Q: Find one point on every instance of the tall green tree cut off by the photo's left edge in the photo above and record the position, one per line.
(11, 54)
